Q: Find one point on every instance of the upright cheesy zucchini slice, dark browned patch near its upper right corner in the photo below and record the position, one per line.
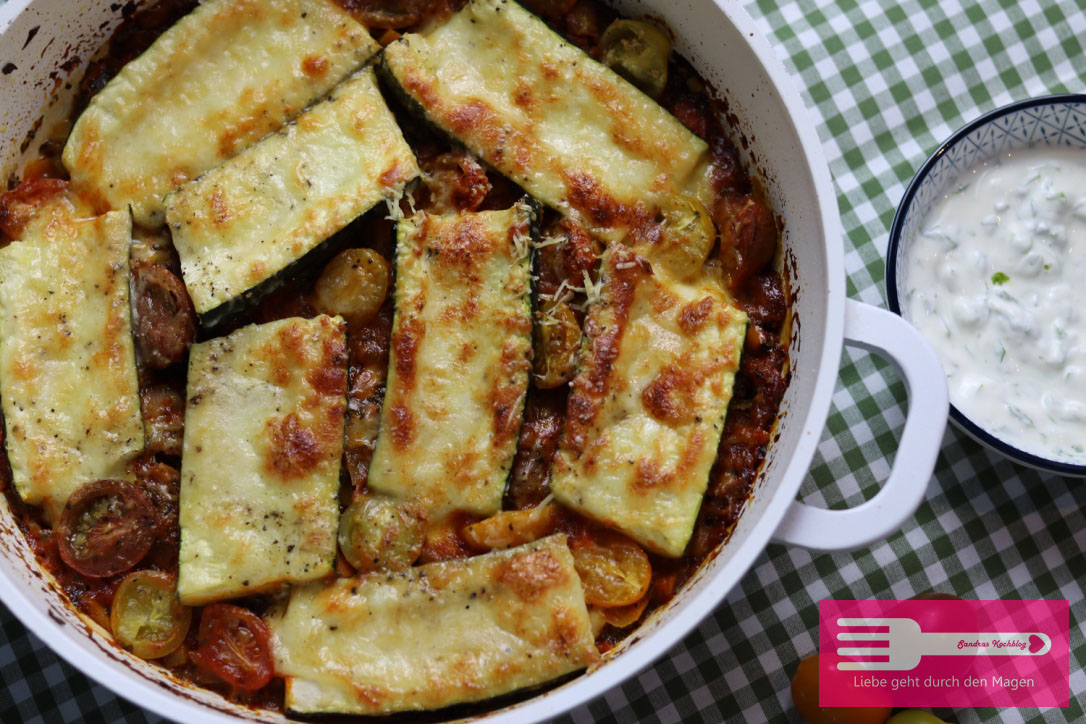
(261, 462)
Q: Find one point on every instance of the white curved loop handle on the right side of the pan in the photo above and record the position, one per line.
(890, 337)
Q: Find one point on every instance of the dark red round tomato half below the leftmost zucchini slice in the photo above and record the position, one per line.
(107, 528)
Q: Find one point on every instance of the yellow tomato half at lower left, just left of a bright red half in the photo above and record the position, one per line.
(147, 617)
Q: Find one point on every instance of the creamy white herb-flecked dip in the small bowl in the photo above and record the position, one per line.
(996, 281)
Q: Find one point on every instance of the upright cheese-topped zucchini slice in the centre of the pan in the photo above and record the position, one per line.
(459, 363)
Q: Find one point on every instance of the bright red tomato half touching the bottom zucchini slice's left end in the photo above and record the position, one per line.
(235, 645)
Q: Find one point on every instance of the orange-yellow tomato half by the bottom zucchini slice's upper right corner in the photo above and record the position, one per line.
(614, 570)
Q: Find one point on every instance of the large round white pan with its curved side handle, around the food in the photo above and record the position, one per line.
(780, 144)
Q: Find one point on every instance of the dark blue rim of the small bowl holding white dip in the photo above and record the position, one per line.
(899, 240)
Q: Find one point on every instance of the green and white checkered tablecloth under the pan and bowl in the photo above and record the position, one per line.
(887, 82)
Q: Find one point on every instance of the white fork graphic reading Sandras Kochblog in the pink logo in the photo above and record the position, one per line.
(906, 644)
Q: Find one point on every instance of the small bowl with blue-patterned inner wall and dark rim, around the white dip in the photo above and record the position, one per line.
(1054, 121)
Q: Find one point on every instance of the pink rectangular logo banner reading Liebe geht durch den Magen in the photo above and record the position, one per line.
(944, 654)
